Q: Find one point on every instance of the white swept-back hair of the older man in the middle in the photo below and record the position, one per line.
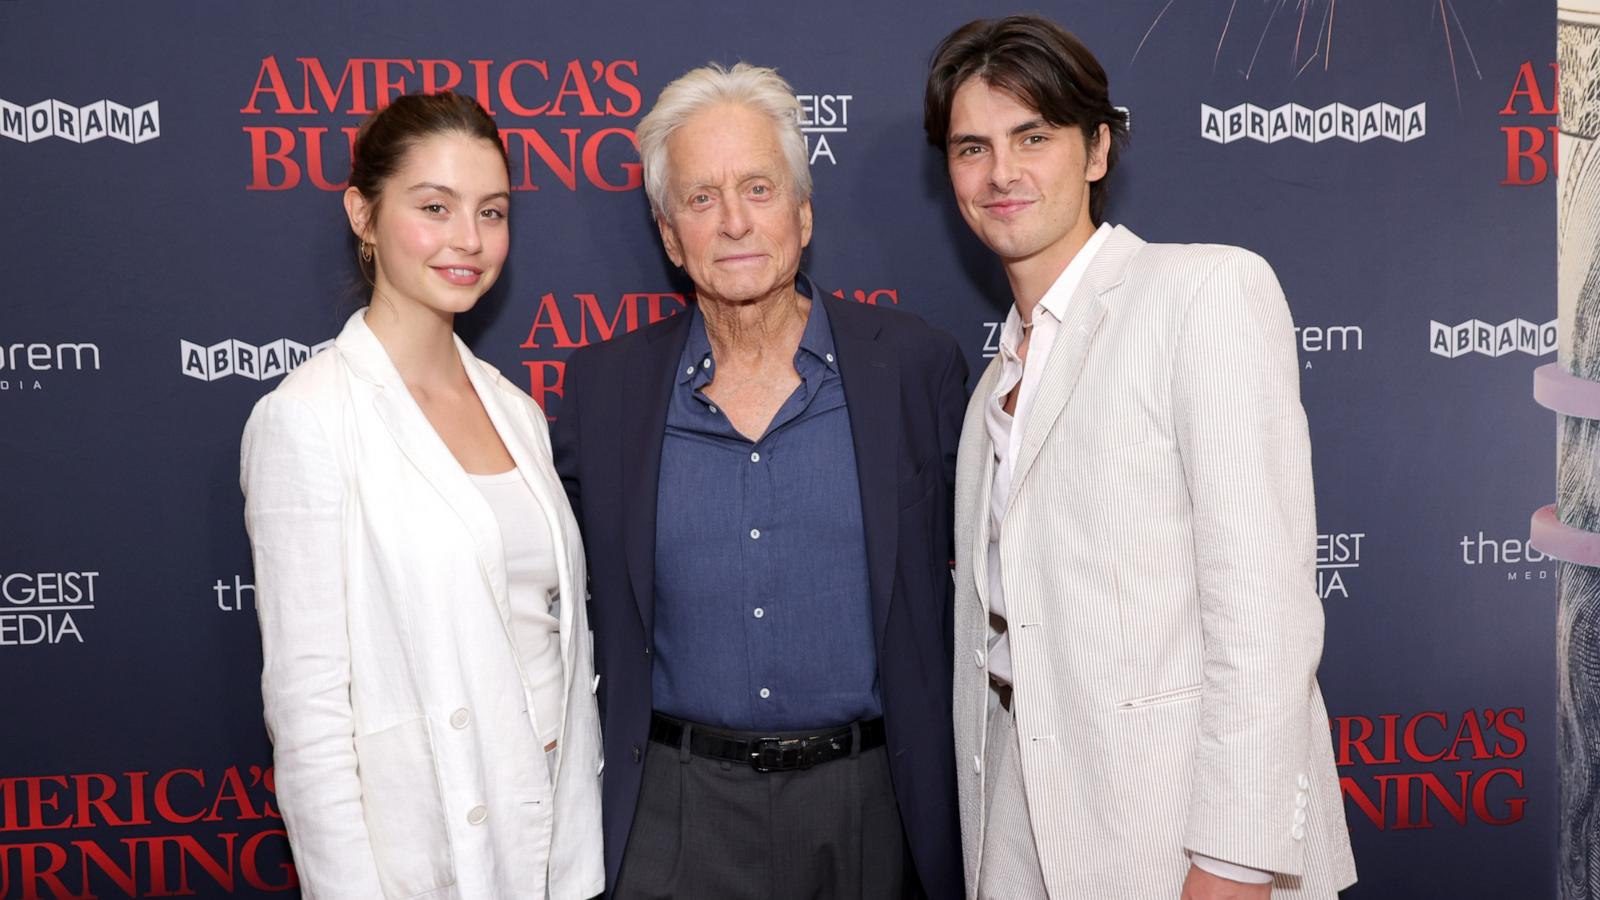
(753, 87)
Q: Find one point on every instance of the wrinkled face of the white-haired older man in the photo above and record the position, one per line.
(734, 222)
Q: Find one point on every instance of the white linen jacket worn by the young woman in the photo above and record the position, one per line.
(407, 758)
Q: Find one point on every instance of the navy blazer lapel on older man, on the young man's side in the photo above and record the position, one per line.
(871, 379)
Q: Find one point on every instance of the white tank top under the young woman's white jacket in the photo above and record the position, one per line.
(532, 584)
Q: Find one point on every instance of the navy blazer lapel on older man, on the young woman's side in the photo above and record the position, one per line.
(642, 430)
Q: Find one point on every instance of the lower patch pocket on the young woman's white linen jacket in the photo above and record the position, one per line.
(404, 810)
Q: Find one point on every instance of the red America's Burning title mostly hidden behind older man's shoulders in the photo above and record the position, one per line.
(575, 321)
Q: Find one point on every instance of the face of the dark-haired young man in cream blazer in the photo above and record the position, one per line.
(1023, 185)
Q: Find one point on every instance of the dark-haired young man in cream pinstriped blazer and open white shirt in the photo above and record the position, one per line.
(1137, 627)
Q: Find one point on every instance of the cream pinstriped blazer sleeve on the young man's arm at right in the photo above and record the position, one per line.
(1247, 462)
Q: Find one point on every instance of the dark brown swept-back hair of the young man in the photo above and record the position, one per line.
(1039, 63)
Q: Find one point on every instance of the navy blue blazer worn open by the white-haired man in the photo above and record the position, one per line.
(906, 390)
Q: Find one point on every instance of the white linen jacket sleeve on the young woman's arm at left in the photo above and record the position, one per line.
(295, 512)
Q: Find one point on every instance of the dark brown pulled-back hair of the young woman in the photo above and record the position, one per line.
(390, 135)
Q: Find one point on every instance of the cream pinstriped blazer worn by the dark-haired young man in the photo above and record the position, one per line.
(1159, 566)
